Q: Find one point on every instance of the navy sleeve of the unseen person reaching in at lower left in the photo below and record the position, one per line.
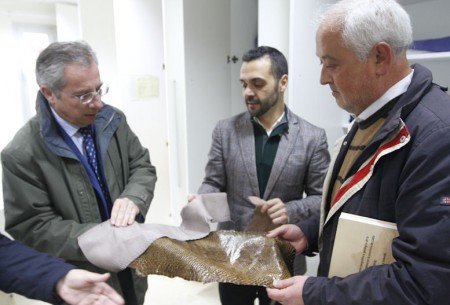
(28, 272)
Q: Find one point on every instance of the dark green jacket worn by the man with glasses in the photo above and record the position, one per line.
(49, 200)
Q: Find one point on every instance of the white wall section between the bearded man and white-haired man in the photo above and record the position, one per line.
(290, 27)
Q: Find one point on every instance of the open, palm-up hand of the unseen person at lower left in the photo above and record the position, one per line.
(80, 287)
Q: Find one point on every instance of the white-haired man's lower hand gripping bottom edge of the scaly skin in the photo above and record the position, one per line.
(289, 291)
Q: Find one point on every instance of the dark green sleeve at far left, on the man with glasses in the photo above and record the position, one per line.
(39, 202)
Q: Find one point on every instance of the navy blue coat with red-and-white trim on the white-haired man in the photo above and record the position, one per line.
(406, 181)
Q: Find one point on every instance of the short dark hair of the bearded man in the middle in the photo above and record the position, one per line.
(277, 59)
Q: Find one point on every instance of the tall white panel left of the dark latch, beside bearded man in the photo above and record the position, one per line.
(207, 44)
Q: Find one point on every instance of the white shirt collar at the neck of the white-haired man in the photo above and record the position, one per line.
(396, 90)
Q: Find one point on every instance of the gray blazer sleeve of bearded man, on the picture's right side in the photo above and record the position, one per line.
(302, 209)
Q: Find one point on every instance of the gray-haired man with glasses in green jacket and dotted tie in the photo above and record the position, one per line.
(75, 164)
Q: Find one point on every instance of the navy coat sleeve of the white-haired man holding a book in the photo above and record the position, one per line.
(421, 272)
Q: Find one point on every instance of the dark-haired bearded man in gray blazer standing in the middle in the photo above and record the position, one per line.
(266, 152)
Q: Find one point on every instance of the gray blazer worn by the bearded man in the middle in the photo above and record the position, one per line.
(297, 174)
